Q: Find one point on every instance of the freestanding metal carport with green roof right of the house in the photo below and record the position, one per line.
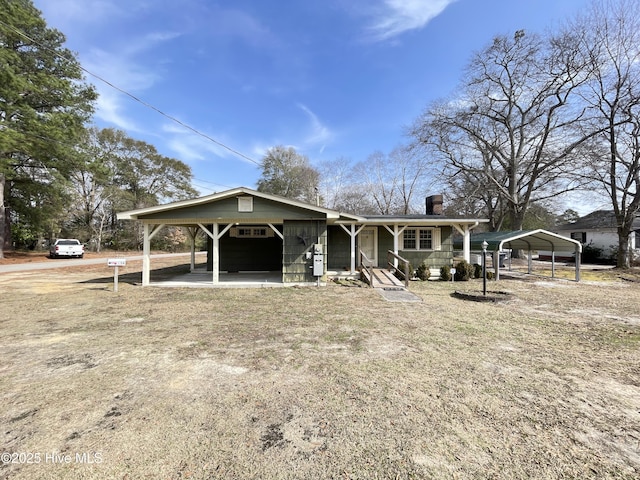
(528, 240)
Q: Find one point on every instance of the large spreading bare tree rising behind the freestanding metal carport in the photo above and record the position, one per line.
(512, 127)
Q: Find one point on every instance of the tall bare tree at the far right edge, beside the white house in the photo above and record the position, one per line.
(610, 34)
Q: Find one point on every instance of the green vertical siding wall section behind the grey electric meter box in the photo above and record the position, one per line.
(299, 238)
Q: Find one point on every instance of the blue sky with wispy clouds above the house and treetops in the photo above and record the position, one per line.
(332, 78)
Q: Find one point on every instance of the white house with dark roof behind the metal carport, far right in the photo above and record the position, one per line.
(599, 230)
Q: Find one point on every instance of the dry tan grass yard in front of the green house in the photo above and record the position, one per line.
(313, 383)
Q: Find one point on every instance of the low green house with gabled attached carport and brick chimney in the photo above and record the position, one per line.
(249, 230)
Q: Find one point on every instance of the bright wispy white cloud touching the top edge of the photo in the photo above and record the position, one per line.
(398, 16)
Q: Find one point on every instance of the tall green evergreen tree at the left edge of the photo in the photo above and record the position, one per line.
(44, 104)
